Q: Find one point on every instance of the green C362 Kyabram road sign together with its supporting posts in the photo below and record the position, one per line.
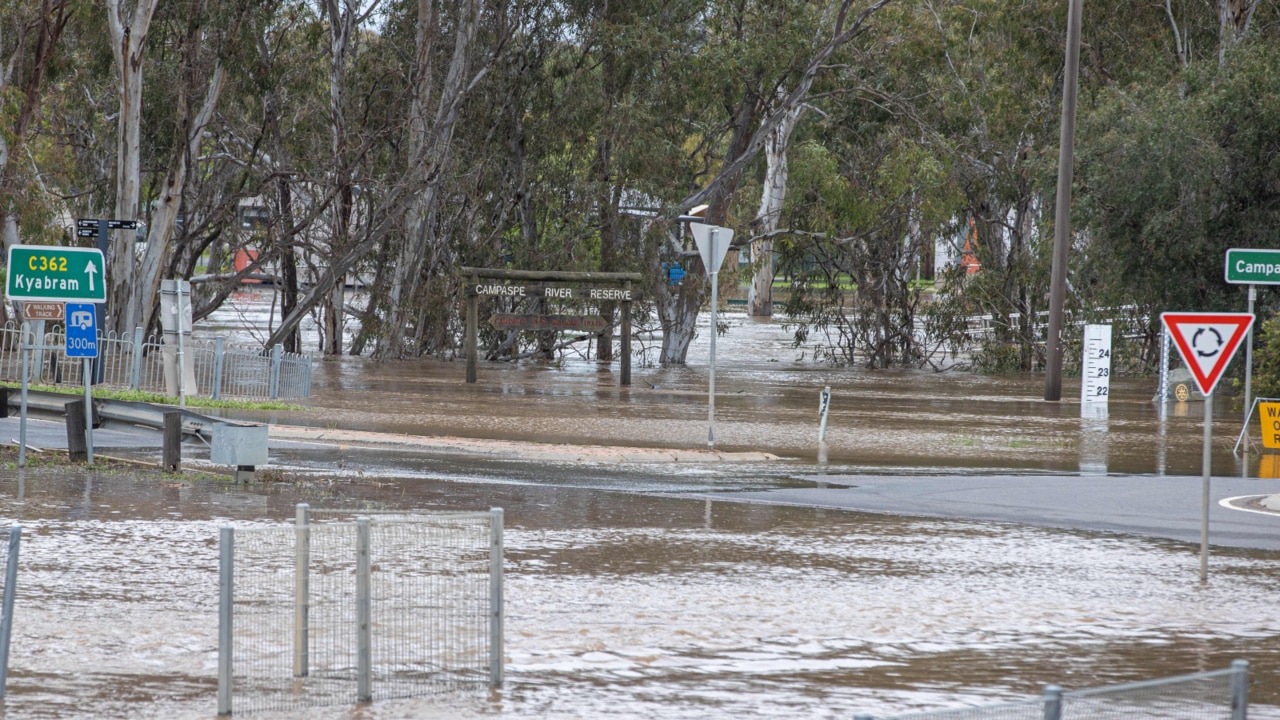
(56, 275)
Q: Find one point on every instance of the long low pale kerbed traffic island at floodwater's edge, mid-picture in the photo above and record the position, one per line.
(514, 449)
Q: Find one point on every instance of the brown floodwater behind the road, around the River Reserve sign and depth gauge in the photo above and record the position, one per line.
(767, 399)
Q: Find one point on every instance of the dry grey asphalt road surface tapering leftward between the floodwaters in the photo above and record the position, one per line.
(1155, 507)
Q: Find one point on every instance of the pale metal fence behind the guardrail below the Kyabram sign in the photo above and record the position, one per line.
(136, 363)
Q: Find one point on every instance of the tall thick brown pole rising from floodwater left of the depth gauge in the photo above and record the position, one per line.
(1063, 209)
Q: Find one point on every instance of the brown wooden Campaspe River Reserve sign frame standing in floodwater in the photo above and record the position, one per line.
(502, 284)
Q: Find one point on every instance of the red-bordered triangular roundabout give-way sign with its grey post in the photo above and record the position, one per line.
(1206, 343)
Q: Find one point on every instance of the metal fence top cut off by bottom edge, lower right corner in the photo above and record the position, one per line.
(1218, 695)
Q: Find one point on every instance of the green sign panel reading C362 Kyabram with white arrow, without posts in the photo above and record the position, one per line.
(61, 275)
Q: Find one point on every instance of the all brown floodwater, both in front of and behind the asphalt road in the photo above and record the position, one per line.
(624, 601)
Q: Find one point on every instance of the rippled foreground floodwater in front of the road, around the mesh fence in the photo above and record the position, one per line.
(625, 605)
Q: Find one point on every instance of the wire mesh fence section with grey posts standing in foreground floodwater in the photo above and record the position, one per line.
(390, 605)
